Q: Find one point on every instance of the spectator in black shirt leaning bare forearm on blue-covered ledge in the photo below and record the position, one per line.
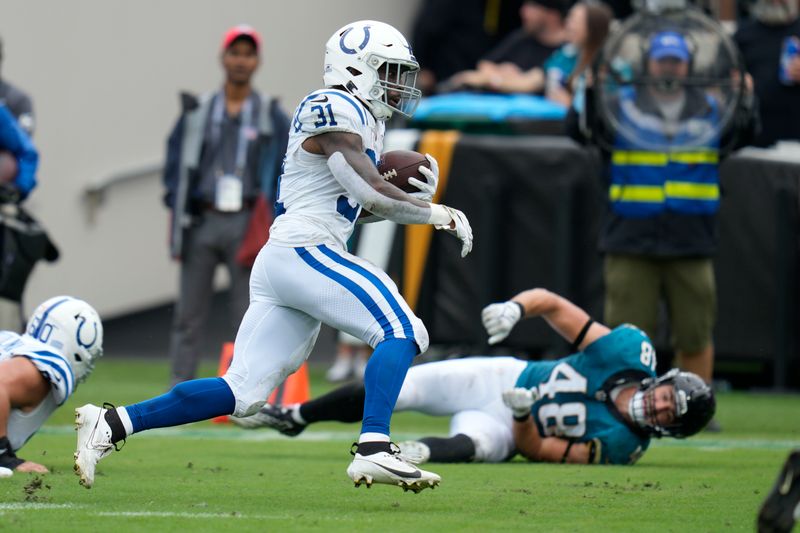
(515, 64)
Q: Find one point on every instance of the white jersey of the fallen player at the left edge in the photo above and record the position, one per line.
(54, 368)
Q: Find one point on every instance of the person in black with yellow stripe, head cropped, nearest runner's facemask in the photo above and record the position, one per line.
(452, 35)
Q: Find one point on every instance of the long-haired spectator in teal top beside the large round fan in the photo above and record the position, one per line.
(586, 31)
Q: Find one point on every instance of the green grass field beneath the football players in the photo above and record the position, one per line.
(208, 477)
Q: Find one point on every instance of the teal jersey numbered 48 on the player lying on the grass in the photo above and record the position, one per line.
(572, 398)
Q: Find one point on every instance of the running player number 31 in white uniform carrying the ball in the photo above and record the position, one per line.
(304, 275)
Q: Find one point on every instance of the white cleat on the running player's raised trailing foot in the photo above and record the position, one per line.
(94, 441)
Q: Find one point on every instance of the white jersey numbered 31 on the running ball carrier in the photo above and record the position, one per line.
(312, 207)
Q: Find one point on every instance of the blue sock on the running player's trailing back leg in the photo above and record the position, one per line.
(190, 401)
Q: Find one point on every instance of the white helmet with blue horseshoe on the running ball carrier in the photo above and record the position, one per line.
(374, 62)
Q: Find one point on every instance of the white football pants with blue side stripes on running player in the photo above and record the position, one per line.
(294, 290)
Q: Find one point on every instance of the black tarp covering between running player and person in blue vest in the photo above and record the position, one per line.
(535, 205)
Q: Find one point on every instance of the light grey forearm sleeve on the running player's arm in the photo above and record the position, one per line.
(378, 204)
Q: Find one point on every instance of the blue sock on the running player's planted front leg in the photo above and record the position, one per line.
(383, 380)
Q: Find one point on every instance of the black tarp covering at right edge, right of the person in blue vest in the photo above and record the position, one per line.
(757, 265)
